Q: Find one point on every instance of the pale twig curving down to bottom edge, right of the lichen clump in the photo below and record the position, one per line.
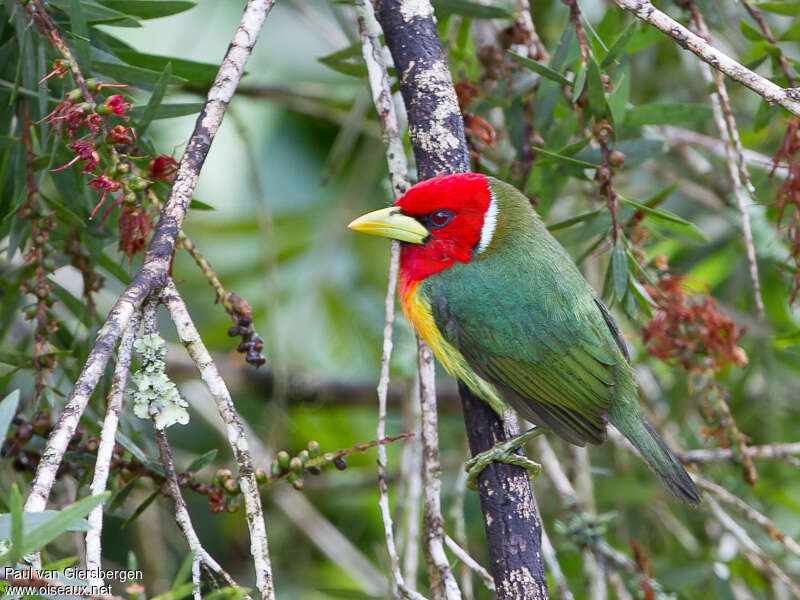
(190, 337)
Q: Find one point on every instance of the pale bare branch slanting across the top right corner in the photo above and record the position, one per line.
(771, 92)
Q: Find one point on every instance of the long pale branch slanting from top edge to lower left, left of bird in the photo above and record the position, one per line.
(154, 270)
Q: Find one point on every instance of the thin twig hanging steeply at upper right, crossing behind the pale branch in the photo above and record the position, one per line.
(743, 189)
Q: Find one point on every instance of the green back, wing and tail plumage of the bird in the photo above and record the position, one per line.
(527, 321)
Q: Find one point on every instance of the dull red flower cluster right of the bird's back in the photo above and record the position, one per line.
(689, 331)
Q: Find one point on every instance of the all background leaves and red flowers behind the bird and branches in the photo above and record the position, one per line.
(298, 156)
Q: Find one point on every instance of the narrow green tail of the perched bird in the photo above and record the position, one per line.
(628, 418)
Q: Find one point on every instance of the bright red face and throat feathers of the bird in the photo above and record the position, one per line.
(468, 195)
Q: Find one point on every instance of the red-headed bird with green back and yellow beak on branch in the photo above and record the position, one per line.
(507, 312)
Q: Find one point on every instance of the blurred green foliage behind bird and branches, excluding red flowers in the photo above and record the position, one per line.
(299, 154)
